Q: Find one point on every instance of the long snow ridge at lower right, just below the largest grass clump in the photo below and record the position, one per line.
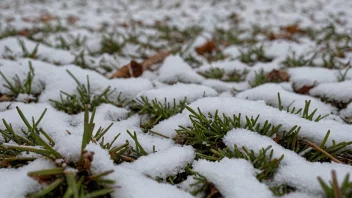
(288, 173)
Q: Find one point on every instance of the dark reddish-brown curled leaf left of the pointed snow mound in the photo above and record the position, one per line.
(133, 69)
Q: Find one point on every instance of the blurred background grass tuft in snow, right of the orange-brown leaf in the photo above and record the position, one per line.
(254, 55)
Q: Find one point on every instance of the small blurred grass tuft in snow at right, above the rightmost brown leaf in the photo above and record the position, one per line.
(302, 60)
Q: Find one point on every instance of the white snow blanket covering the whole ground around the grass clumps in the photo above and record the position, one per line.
(144, 27)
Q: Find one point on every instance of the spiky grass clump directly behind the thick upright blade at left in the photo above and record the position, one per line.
(73, 104)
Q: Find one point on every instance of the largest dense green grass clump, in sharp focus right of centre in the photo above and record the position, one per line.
(207, 132)
